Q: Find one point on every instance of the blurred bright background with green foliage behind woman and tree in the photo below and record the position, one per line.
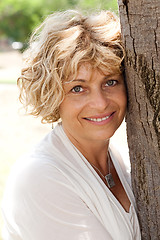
(18, 18)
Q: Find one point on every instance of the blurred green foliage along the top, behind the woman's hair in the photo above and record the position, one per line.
(18, 18)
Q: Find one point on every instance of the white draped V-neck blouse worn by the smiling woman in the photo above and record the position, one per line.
(55, 194)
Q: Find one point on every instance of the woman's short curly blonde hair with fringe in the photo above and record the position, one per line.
(57, 48)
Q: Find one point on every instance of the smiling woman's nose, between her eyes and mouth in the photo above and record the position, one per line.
(98, 99)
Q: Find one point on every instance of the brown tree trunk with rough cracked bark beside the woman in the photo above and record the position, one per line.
(140, 21)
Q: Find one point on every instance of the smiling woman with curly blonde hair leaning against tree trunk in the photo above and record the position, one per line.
(74, 185)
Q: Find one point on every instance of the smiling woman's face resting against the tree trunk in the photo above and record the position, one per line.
(94, 105)
